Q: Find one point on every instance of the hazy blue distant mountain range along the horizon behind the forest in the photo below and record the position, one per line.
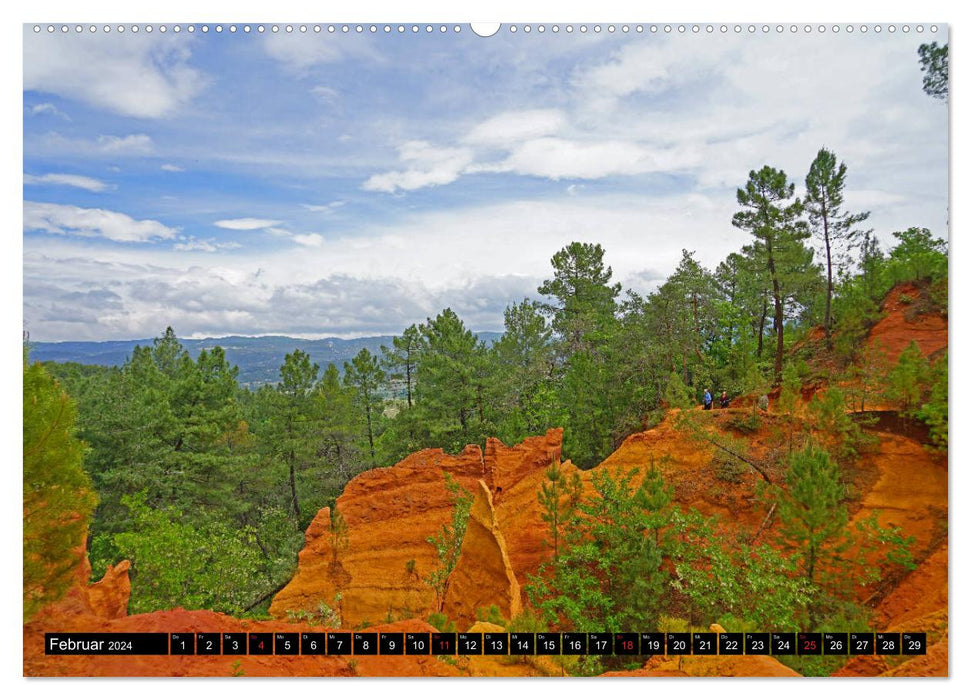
(258, 359)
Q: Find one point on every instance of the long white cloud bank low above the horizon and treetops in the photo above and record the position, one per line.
(372, 279)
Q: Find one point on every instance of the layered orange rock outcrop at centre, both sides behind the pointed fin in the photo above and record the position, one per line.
(379, 574)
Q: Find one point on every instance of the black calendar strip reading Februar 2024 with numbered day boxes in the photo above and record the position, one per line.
(487, 643)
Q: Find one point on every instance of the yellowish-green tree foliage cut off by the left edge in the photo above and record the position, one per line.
(58, 499)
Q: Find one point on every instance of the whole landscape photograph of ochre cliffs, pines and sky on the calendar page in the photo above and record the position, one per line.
(530, 343)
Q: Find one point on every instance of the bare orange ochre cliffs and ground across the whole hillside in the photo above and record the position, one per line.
(372, 570)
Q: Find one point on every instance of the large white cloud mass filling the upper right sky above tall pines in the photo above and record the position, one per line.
(709, 109)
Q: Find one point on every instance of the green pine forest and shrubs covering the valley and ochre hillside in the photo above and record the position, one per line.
(207, 486)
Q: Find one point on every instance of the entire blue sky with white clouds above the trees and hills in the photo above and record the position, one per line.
(330, 184)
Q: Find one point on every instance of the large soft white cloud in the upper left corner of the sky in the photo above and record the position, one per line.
(146, 76)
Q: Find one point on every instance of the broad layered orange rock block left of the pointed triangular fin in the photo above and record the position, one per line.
(377, 573)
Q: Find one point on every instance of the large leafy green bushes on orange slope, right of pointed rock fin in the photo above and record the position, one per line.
(631, 559)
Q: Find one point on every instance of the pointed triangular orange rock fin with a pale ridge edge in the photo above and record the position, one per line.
(483, 576)
